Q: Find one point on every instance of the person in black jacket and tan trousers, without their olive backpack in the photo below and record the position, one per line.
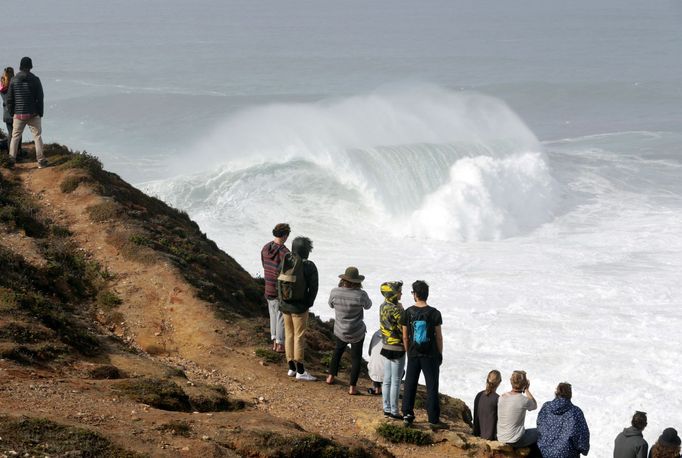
(296, 311)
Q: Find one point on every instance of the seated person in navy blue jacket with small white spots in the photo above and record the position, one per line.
(562, 429)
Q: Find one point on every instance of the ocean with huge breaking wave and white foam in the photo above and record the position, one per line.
(524, 158)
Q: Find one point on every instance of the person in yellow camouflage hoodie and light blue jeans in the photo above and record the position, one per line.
(392, 349)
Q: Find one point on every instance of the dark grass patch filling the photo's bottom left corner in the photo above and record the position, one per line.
(41, 437)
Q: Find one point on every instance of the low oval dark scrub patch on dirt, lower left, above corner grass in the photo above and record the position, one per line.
(158, 393)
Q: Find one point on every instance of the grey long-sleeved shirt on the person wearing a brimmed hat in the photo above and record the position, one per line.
(349, 305)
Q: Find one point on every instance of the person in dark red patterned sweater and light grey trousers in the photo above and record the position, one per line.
(272, 254)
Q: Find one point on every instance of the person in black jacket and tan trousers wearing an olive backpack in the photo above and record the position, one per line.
(297, 289)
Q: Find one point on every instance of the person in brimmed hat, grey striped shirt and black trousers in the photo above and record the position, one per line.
(349, 302)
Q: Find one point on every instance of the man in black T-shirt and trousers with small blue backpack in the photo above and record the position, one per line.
(423, 343)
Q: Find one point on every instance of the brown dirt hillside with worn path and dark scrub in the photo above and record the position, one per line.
(125, 331)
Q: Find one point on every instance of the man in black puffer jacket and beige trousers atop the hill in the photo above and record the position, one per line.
(25, 105)
